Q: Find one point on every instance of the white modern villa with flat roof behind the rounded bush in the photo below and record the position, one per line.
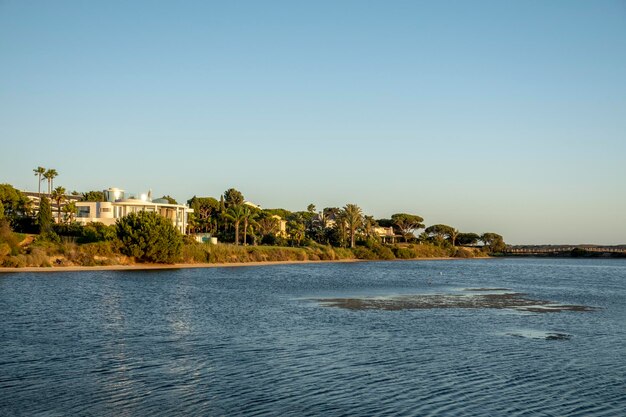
(116, 205)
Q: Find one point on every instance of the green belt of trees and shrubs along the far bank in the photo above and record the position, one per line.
(249, 233)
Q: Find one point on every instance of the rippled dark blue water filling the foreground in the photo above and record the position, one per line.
(253, 341)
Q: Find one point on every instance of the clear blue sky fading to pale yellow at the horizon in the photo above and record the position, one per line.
(489, 116)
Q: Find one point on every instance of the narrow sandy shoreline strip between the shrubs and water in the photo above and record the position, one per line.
(146, 267)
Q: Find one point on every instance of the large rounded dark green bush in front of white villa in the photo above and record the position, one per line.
(149, 237)
